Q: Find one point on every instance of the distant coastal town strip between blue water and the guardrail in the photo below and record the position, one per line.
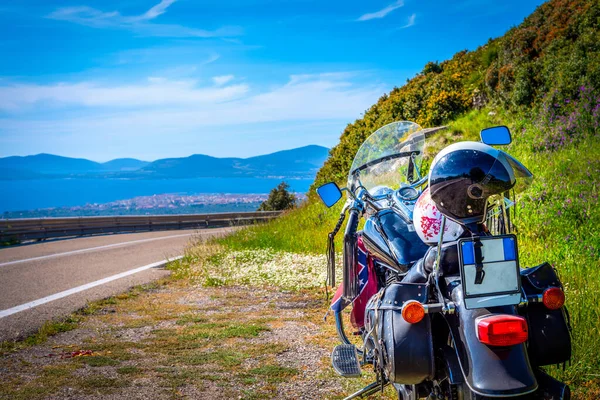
(156, 204)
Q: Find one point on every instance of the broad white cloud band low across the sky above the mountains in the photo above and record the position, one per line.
(182, 107)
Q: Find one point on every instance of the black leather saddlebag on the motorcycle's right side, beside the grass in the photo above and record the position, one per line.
(549, 330)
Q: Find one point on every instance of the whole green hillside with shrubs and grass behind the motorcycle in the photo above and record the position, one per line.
(541, 79)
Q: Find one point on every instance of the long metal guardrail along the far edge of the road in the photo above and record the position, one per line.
(48, 228)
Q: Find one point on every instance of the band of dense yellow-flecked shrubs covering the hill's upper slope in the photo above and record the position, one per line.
(546, 59)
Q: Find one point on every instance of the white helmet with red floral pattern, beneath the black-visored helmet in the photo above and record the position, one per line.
(427, 220)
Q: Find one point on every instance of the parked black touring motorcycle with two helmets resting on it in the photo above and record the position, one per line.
(439, 301)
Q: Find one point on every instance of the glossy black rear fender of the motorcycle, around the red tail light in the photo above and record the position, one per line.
(488, 371)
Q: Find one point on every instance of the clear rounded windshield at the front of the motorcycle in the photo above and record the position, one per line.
(390, 157)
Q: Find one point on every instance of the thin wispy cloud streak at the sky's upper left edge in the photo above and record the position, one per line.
(141, 24)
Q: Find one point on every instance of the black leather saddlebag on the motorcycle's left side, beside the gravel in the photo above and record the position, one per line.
(406, 350)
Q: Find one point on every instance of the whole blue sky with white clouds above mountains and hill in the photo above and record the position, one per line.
(153, 79)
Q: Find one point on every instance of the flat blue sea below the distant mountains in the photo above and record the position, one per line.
(21, 195)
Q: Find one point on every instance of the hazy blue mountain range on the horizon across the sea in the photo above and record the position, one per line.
(301, 162)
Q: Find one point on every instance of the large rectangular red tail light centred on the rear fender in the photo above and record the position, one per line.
(502, 330)
